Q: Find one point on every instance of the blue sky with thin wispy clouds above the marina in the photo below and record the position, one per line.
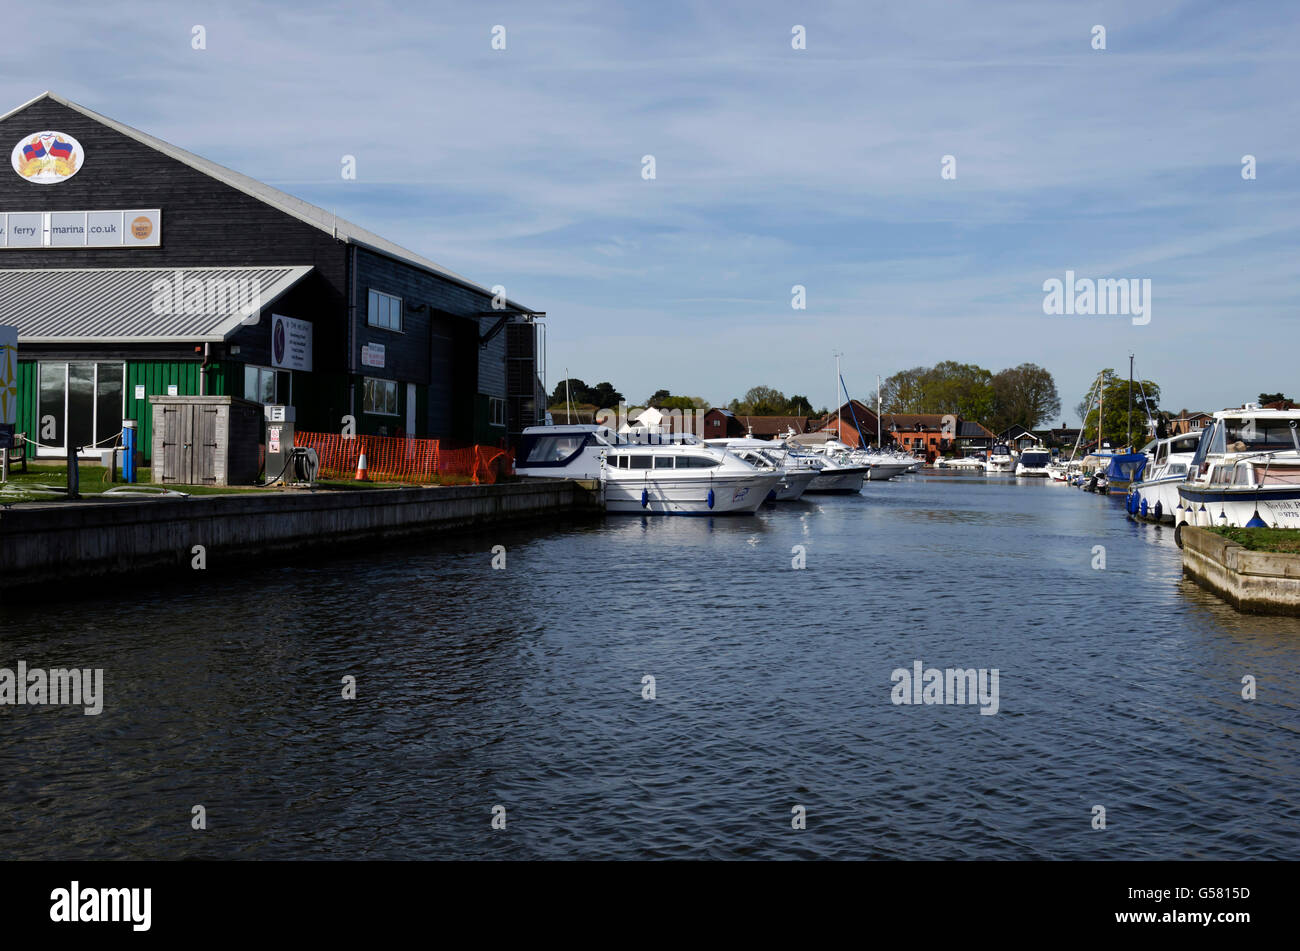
(774, 168)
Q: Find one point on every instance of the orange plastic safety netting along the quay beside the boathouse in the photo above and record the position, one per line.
(404, 459)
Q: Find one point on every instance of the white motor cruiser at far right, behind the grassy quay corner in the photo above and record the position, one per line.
(1246, 472)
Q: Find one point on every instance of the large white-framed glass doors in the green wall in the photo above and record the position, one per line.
(84, 401)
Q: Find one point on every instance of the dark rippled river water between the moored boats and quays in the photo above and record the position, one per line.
(476, 688)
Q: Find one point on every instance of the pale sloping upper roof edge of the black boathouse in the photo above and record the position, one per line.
(284, 202)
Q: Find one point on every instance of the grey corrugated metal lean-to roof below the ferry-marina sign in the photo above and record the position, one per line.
(140, 305)
